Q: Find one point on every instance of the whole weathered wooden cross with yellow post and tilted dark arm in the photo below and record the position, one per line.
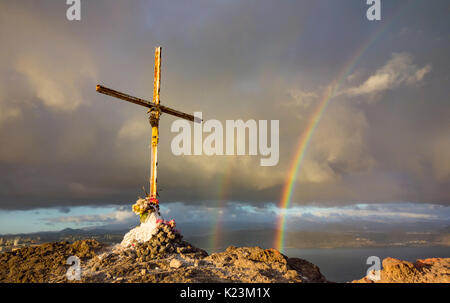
(155, 110)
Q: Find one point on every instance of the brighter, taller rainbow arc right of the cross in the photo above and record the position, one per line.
(305, 138)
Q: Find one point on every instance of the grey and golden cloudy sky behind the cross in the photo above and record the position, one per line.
(70, 152)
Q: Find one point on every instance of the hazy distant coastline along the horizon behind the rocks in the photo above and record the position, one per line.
(248, 237)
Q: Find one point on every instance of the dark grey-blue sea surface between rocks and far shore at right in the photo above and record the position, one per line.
(347, 264)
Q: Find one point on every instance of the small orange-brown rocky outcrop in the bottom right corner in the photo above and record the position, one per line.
(433, 270)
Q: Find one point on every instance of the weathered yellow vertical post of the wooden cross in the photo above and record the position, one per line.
(154, 122)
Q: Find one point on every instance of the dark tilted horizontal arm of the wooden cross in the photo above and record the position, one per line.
(113, 93)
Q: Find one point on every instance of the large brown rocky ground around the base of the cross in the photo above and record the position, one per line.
(166, 258)
